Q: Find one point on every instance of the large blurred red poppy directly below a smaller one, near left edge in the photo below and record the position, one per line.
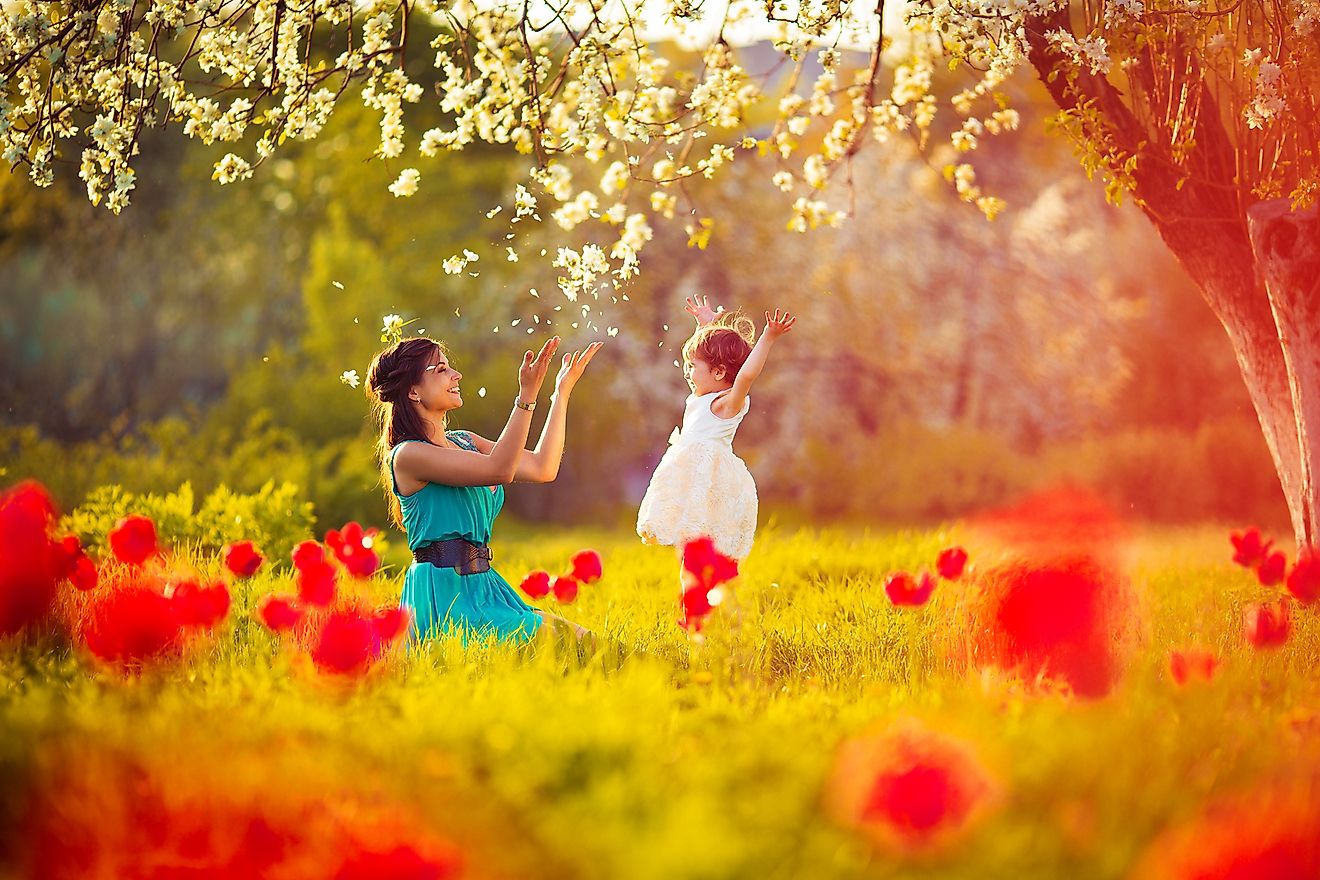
(133, 626)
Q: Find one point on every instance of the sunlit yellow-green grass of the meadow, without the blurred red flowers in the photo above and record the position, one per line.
(663, 758)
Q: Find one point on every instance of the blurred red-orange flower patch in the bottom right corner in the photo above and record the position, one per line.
(1270, 834)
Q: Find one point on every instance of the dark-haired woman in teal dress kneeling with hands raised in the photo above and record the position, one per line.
(445, 489)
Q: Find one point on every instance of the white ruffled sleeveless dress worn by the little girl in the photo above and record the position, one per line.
(702, 487)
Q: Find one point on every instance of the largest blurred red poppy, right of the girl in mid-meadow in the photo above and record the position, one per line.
(1063, 621)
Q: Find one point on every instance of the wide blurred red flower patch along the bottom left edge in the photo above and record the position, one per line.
(101, 816)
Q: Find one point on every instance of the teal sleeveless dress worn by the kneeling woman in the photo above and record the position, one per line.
(442, 600)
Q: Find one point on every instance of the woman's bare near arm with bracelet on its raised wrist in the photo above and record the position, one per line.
(500, 462)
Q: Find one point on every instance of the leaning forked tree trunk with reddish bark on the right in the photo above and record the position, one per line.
(1257, 283)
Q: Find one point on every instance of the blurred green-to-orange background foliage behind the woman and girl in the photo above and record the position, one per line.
(940, 361)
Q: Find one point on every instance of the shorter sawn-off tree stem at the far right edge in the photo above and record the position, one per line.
(1288, 253)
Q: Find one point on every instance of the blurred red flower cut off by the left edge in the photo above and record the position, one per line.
(31, 564)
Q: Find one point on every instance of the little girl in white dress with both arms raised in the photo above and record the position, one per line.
(700, 486)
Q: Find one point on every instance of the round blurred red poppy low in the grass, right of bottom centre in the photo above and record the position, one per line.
(909, 788)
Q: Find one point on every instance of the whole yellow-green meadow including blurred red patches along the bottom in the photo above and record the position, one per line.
(740, 753)
